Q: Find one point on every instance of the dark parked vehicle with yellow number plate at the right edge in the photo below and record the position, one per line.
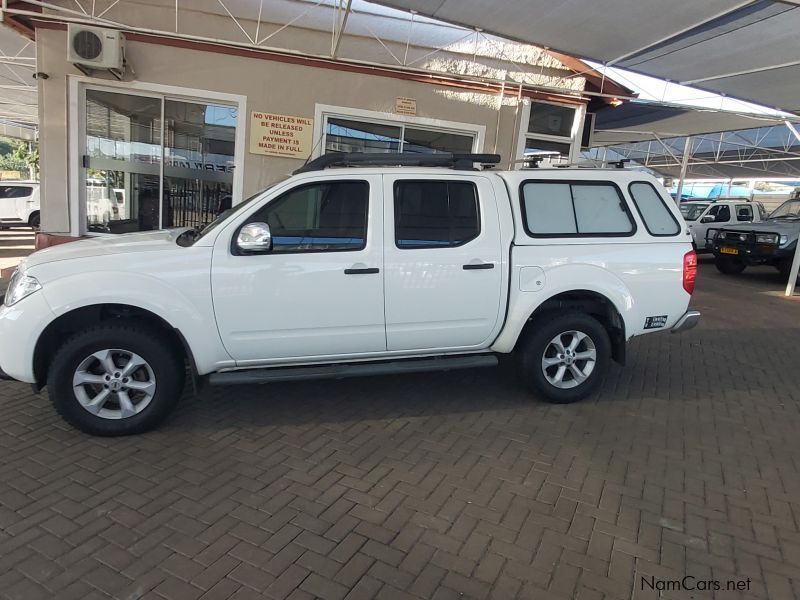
(771, 242)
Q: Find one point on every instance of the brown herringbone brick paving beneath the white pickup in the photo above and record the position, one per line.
(433, 486)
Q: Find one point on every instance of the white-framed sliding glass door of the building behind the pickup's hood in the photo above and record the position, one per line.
(153, 162)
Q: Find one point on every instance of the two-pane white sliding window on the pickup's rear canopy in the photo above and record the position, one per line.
(580, 208)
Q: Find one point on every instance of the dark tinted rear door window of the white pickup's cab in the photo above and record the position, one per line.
(435, 214)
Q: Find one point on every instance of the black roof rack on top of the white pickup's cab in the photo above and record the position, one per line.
(400, 159)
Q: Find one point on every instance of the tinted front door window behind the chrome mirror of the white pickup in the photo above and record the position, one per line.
(318, 217)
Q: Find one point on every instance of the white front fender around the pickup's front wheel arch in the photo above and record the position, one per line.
(190, 313)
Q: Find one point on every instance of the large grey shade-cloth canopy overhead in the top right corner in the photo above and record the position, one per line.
(749, 50)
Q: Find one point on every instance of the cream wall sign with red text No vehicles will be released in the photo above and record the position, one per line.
(281, 135)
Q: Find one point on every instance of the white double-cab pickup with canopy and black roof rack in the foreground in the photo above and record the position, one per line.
(356, 270)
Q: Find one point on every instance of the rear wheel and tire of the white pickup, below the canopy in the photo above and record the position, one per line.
(540, 348)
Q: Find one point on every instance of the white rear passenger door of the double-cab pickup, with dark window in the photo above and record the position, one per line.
(442, 262)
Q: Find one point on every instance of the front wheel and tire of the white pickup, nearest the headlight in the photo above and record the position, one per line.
(99, 397)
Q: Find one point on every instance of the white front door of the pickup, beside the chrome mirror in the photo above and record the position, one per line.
(319, 292)
